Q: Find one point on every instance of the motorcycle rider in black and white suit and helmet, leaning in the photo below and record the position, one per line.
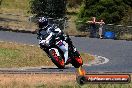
(52, 30)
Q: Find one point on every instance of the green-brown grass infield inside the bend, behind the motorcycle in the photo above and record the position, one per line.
(19, 55)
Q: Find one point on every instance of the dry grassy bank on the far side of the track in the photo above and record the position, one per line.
(15, 16)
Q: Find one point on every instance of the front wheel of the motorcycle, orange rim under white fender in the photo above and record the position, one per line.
(56, 59)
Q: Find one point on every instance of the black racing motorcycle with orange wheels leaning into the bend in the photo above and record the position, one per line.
(56, 54)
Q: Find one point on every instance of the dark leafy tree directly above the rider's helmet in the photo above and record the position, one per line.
(48, 8)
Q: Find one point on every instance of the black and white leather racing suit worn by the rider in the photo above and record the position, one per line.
(54, 31)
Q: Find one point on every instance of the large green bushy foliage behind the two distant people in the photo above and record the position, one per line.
(112, 11)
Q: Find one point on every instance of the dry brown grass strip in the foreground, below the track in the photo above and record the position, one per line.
(45, 81)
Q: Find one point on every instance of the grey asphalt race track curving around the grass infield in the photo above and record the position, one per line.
(119, 53)
